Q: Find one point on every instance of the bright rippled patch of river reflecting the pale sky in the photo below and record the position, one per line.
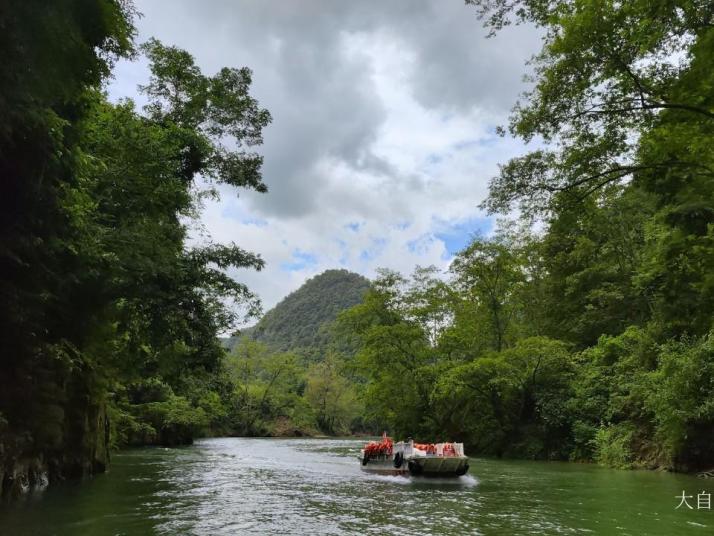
(296, 486)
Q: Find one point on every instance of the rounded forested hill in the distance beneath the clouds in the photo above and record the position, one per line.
(301, 319)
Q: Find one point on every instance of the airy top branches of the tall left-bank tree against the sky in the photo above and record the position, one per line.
(217, 115)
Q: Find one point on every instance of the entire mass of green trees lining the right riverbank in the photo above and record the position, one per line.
(591, 340)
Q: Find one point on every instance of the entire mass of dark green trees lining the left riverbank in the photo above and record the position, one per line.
(109, 318)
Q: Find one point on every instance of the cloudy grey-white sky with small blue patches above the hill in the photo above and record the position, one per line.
(383, 134)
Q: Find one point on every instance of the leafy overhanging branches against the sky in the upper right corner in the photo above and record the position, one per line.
(606, 74)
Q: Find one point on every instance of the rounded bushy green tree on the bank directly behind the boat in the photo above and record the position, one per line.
(513, 402)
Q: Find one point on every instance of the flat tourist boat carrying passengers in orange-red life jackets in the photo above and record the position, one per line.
(414, 459)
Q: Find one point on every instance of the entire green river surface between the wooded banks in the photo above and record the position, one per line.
(315, 486)
